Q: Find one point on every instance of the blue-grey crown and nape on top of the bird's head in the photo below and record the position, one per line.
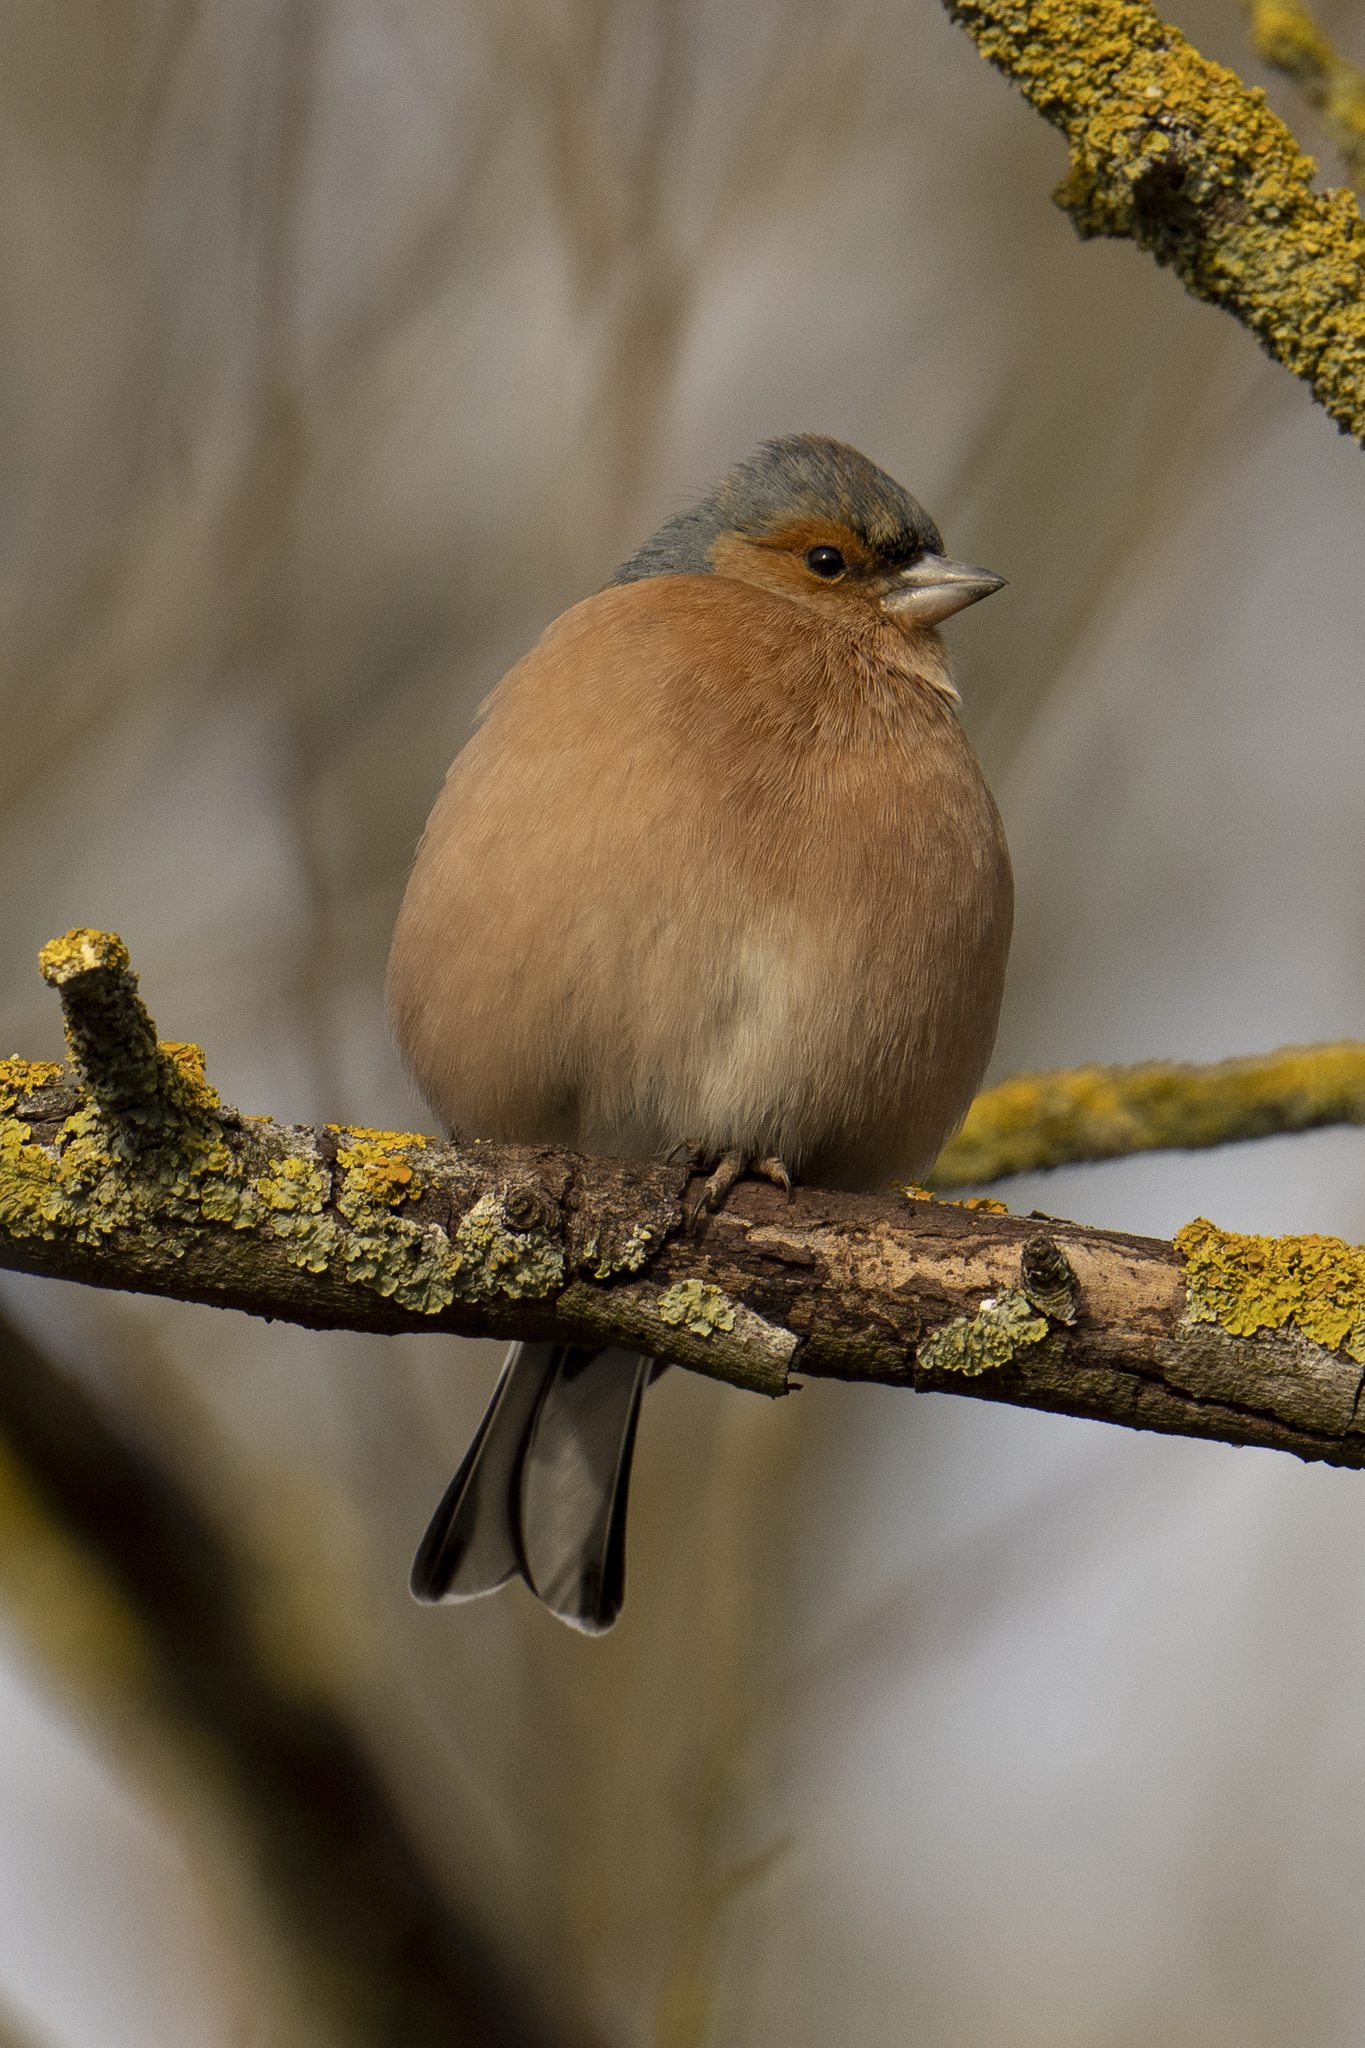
(801, 476)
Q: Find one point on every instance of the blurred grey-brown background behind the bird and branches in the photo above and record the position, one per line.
(343, 345)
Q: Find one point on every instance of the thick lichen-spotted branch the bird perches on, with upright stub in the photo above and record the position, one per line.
(126, 1170)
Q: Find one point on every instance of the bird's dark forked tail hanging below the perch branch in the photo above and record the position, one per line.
(543, 1488)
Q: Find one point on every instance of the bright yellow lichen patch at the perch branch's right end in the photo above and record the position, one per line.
(1241, 1283)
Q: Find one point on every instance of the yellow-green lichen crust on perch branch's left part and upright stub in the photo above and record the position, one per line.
(150, 1148)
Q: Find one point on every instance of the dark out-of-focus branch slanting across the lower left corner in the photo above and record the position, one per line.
(144, 1617)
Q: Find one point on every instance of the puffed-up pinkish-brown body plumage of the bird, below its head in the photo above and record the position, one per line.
(717, 871)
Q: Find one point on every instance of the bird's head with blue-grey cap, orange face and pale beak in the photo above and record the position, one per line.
(818, 523)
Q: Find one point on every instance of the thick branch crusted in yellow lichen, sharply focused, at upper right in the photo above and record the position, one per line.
(1184, 159)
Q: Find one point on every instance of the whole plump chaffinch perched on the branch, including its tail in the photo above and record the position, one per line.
(717, 876)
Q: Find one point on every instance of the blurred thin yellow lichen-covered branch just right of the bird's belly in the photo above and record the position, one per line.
(1041, 1121)
